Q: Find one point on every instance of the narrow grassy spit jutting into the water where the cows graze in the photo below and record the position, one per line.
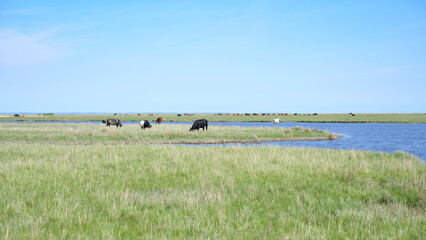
(68, 133)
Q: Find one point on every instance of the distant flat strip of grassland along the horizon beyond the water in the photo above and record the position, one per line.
(358, 118)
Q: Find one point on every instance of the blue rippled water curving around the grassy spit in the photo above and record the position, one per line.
(384, 137)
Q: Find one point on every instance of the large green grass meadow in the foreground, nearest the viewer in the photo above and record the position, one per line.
(52, 191)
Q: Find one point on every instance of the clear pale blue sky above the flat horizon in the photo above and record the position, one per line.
(213, 56)
